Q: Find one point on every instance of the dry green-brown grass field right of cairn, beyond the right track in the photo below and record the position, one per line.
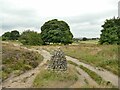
(105, 56)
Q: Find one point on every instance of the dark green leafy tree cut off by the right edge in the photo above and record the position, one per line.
(110, 32)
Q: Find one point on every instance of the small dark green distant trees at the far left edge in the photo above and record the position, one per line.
(13, 35)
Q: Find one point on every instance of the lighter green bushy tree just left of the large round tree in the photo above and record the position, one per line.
(30, 38)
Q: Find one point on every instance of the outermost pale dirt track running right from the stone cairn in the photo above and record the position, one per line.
(106, 75)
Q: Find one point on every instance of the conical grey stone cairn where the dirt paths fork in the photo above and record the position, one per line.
(58, 61)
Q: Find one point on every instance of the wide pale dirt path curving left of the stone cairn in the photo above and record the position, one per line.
(26, 79)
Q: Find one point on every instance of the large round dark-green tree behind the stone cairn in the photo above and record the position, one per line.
(55, 31)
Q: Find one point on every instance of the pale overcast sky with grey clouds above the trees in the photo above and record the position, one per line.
(84, 17)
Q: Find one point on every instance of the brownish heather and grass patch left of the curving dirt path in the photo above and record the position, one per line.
(16, 60)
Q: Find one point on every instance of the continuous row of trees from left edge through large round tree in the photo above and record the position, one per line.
(52, 31)
